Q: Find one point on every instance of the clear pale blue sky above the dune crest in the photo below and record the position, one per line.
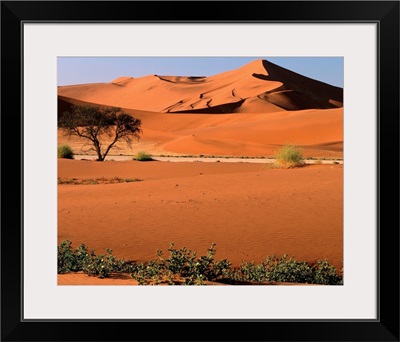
(79, 70)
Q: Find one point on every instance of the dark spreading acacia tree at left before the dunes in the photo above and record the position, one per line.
(96, 123)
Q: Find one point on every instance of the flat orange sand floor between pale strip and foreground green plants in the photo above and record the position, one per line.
(249, 210)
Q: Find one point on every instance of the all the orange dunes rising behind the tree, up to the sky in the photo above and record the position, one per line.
(247, 111)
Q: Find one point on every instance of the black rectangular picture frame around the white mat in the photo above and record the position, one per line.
(15, 328)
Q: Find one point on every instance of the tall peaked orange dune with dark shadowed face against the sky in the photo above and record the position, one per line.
(259, 86)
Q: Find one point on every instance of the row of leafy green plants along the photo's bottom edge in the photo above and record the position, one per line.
(184, 267)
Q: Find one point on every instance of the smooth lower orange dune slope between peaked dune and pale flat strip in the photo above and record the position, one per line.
(320, 132)
